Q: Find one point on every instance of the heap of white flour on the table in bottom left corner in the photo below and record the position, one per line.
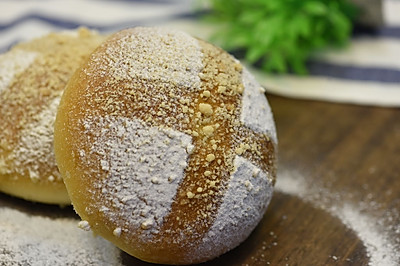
(41, 241)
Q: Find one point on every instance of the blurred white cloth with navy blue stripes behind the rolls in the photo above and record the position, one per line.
(367, 72)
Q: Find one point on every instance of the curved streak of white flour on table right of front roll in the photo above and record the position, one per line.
(379, 241)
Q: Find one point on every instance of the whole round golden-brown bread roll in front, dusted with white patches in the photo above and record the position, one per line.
(167, 146)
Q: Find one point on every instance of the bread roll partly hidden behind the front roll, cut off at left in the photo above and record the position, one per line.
(32, 77)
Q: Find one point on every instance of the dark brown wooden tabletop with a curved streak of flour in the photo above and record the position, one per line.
(337, 198)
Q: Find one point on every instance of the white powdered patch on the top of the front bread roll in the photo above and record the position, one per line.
(157, 54)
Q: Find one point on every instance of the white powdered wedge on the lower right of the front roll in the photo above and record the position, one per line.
(244, 204)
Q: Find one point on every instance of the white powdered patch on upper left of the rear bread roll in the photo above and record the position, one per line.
(12, 63)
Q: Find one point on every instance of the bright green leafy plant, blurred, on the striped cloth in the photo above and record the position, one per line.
(280, 35)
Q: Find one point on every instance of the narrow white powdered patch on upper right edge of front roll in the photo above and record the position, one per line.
(256, 112)
